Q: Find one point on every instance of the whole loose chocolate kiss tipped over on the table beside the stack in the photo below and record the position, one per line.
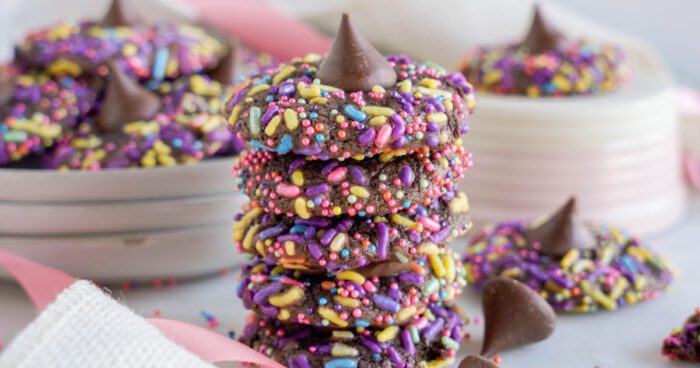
(514, 315)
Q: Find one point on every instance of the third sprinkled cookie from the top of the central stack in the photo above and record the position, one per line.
(345, 242)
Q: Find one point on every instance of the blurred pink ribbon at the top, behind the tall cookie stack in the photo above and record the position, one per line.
(261, 27)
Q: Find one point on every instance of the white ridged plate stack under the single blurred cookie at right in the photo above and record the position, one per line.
(619, 153)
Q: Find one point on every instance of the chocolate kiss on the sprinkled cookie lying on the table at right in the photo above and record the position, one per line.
(561, 232)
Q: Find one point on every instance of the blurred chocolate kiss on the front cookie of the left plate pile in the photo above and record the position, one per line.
(125, 101)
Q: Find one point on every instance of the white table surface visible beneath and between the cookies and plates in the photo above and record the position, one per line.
(629, 338)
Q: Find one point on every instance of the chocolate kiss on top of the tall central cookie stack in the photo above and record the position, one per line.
(353, 64)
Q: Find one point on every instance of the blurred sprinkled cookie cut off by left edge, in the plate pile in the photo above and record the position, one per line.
(41, 110)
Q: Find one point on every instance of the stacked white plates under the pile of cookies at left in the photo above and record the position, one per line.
(122, 225)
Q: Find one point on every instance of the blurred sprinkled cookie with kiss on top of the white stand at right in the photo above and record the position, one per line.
(546, 63)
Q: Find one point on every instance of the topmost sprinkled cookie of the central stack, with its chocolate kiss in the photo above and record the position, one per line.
(352, 103)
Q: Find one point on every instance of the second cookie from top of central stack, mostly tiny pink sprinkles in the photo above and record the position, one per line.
(382, 184)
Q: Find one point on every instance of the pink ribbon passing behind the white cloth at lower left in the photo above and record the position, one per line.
(43, 284)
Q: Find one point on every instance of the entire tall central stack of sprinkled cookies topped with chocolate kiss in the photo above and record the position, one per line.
(351, 178)
